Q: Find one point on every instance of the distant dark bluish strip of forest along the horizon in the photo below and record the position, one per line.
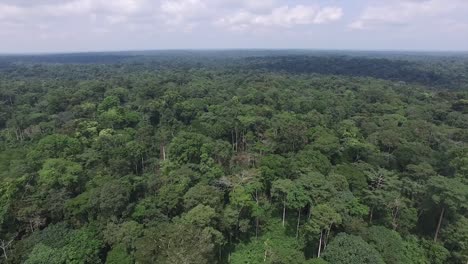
(443, 70)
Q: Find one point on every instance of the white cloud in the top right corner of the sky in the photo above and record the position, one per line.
(404, 12)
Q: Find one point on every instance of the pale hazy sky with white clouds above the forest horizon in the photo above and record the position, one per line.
(29, 26)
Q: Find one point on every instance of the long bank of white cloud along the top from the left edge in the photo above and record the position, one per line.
(169, 15)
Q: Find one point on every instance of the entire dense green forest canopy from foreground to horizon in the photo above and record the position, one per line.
(234, 157)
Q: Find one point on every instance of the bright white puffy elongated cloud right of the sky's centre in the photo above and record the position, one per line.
(283, 16)
